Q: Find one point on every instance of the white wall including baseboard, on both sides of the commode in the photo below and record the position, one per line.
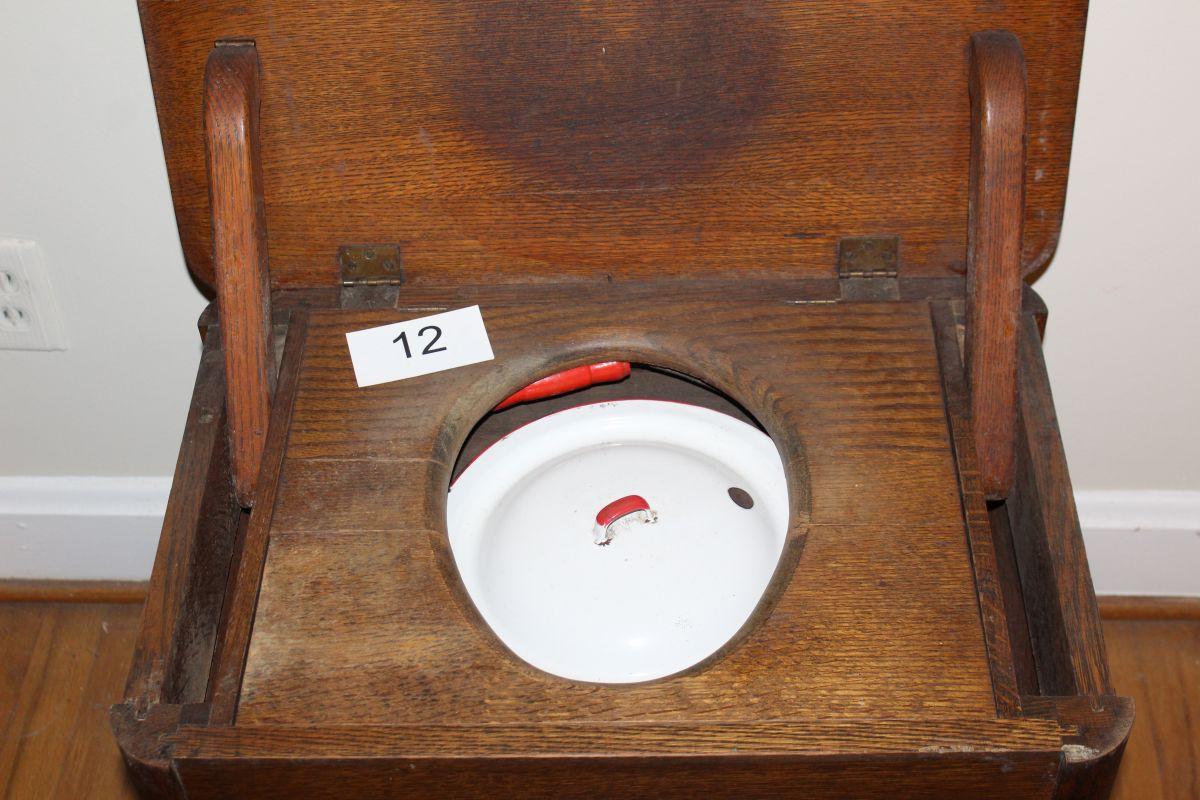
(82, 172)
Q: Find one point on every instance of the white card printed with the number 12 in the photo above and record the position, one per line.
(418, 347)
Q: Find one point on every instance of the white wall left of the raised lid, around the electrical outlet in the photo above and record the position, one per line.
(82, 173)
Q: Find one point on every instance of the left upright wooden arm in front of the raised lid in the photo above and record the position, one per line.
(232, 99)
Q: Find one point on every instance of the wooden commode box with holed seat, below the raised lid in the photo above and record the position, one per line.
(886, 654)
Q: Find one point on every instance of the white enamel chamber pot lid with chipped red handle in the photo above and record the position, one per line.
(693, 518)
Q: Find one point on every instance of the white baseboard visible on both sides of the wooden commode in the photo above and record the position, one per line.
(1142, 544)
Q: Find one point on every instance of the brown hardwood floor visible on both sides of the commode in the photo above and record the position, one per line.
(63, 664)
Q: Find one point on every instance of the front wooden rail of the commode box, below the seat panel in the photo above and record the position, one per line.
(770, 761)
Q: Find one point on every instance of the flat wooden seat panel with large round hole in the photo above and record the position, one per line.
(359, 598)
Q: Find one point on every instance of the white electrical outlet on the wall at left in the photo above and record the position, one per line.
(29, 316)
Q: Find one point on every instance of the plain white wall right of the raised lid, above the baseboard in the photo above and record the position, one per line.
(1124, 338)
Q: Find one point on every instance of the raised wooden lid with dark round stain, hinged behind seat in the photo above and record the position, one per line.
(503, 141)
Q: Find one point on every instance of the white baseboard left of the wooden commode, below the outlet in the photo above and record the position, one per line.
(75, 528)
